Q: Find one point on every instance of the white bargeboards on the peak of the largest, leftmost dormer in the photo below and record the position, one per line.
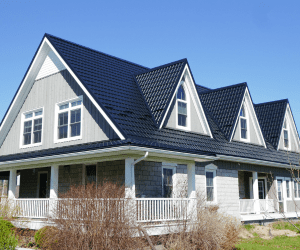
(205, 126)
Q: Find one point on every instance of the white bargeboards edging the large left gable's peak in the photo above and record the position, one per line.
(45, 47)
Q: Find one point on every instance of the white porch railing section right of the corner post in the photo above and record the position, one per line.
(161, 209)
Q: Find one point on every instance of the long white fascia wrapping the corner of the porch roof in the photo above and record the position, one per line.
(134, 149)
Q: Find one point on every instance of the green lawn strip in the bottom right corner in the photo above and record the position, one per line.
(279, 242)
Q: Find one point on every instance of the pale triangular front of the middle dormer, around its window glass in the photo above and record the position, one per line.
(255, 134)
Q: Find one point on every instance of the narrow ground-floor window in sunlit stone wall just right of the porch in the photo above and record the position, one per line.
(210, 175)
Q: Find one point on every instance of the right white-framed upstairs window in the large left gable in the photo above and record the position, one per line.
(69, 120)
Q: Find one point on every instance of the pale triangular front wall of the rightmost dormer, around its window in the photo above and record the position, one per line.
(294, 142)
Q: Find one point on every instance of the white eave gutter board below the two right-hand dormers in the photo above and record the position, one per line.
(256, 162)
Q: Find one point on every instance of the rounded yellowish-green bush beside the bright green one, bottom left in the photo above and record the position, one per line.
(44, 236)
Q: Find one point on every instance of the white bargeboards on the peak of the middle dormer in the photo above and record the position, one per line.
(254, 119)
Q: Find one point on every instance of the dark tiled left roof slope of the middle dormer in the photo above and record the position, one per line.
(223, 104)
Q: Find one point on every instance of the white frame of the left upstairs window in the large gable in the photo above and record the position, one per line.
(21, 146)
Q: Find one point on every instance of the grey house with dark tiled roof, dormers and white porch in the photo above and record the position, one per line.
(80, 115)
